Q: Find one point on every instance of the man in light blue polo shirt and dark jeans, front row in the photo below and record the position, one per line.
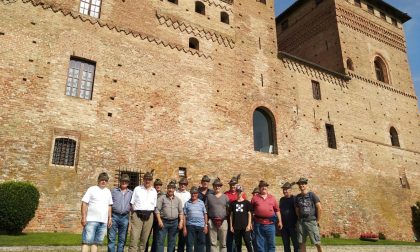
(195, 222)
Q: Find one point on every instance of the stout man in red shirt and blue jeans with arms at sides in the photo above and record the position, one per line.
(265, 207)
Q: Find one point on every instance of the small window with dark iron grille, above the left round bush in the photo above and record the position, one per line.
(64, 151)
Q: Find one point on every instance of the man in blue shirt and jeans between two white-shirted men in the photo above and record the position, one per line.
(121, 196)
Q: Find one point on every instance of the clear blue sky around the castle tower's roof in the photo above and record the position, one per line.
(411, 27)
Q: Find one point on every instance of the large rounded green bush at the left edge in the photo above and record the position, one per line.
(18, 202)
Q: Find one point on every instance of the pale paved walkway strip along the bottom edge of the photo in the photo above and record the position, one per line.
(364, 248)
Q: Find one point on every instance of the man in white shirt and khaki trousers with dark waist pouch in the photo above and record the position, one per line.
(143, 204)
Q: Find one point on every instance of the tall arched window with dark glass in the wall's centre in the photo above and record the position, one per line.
(264, 131)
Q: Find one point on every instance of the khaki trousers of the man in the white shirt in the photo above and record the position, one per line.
(140, 230)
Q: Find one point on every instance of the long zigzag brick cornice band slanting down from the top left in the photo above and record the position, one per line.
(126, 31)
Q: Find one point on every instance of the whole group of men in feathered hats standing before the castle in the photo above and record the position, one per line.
(203, 219)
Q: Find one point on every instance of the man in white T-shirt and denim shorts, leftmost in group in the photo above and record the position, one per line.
(96, 214)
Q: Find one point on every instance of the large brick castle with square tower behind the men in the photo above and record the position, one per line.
(217, 87)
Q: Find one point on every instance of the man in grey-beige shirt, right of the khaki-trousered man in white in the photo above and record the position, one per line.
(168, 212)
